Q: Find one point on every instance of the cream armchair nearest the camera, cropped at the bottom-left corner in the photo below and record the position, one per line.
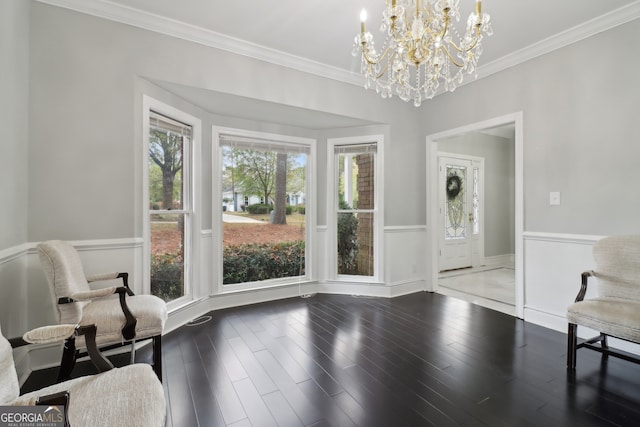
(127, 396)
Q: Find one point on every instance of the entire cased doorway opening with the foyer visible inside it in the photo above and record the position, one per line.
(495, 214)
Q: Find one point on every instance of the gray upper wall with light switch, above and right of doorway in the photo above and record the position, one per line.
(580, 109)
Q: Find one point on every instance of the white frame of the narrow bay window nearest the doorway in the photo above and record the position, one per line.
(333, 209)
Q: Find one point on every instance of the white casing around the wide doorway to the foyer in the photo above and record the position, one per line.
(432, 200)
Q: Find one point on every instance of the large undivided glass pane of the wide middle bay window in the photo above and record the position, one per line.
(264, 222)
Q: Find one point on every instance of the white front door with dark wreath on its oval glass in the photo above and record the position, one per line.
(460, 211)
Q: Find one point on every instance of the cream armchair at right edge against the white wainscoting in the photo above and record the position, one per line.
(615, 309)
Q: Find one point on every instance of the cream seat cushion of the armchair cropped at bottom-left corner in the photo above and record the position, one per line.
(127, 396)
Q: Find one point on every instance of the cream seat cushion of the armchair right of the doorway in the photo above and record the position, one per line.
(612, 316)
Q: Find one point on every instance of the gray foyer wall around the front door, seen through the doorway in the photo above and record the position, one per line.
(499, 191)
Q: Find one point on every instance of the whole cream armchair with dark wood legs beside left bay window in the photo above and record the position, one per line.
(120, 320)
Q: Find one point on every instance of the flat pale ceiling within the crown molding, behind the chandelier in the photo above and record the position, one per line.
(323, 31)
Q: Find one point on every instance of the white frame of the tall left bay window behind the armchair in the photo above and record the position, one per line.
(189, 176)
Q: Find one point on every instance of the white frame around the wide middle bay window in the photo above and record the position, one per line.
(217, 169)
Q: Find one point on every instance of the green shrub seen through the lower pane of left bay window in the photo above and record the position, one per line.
(166, 276)
